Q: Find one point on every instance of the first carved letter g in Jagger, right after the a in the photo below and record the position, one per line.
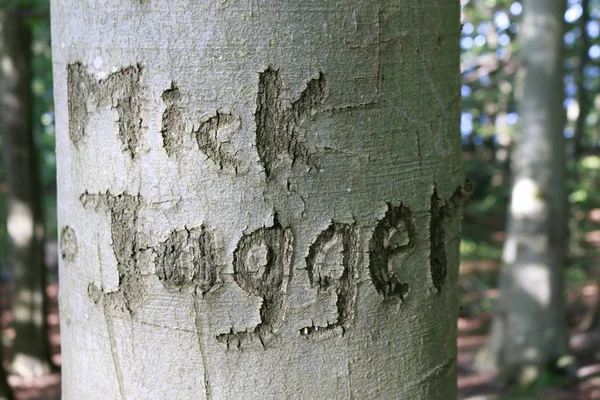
(262, 267)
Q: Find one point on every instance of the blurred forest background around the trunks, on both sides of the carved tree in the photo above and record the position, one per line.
(491, 55)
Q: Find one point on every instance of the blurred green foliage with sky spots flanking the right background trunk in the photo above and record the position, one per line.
(490, 60)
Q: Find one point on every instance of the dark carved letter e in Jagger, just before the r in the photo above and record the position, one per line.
(394, 234)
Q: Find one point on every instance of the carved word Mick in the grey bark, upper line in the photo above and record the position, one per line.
(279, 125)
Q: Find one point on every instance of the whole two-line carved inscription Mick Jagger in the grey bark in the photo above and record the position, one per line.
(187, 260)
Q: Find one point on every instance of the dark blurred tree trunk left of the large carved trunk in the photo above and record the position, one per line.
(25, 220)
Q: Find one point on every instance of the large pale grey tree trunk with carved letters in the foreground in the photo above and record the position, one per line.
(258, 200)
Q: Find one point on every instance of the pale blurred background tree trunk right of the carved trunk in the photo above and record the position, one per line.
(529, 331)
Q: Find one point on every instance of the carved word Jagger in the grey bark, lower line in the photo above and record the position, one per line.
(187, 261)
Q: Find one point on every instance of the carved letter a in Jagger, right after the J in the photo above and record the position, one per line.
(187, 260)
